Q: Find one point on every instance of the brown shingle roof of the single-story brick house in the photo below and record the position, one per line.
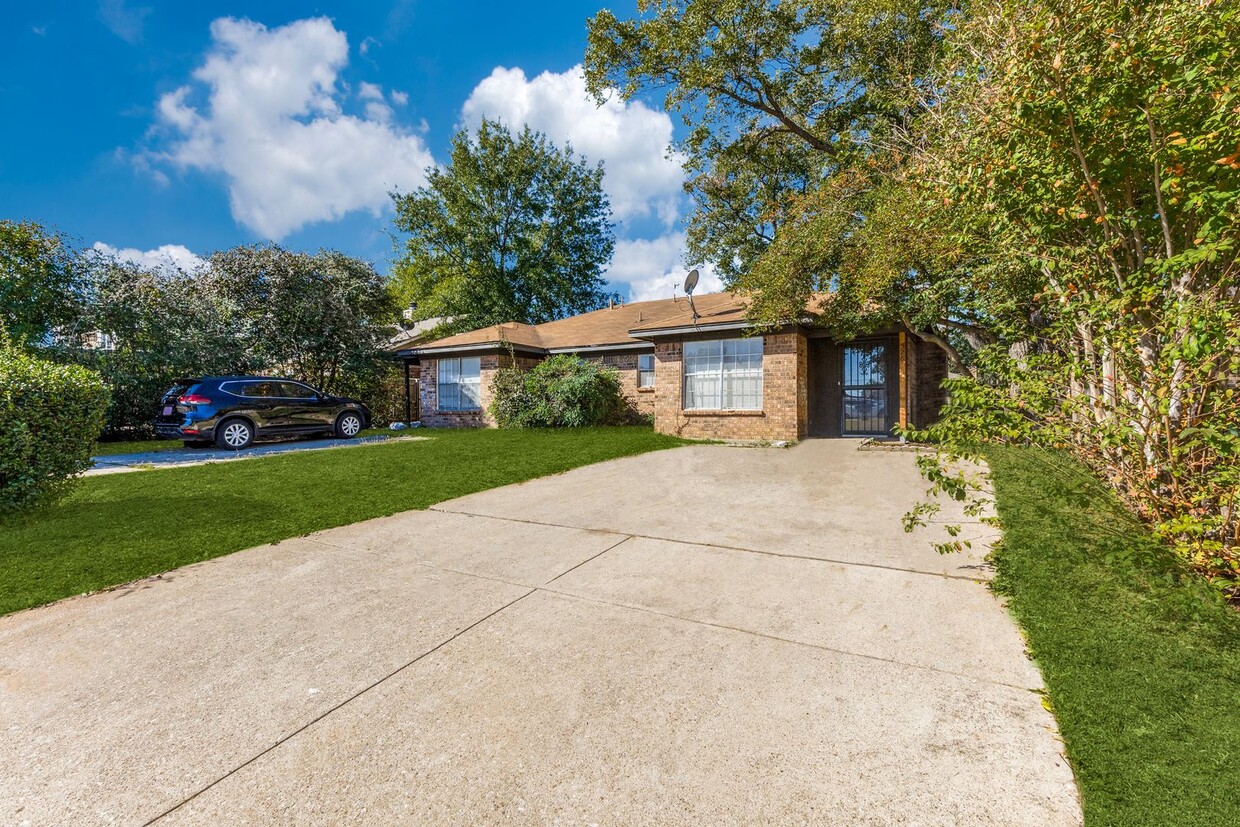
(627, 325)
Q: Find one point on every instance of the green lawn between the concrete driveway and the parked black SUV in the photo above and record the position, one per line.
(121, 528)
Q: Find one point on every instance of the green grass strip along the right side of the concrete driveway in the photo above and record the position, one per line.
(1143, 664)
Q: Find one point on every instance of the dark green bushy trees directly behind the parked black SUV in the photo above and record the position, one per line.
(321, 318)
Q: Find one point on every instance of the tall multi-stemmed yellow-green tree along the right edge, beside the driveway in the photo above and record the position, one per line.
(1096, 147)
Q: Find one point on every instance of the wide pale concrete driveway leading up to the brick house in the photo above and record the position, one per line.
(709, 635)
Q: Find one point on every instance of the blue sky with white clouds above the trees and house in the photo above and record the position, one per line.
(188, 128)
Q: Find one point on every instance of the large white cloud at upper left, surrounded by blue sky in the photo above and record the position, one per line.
(266, 113)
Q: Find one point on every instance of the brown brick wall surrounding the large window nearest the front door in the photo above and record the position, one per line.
(786, 396)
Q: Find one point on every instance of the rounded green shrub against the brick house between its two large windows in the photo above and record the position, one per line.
(560, 392)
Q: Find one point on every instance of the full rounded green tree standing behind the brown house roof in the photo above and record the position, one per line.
(513, 230)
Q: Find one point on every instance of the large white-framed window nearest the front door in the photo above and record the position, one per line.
(724, 375)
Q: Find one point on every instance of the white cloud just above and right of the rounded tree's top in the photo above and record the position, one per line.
(632, 139)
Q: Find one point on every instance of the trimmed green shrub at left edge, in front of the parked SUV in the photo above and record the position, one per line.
(50, 417)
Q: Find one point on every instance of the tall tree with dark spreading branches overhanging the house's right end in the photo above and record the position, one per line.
(782, 100)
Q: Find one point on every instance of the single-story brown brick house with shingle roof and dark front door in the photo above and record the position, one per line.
(709, 376)
